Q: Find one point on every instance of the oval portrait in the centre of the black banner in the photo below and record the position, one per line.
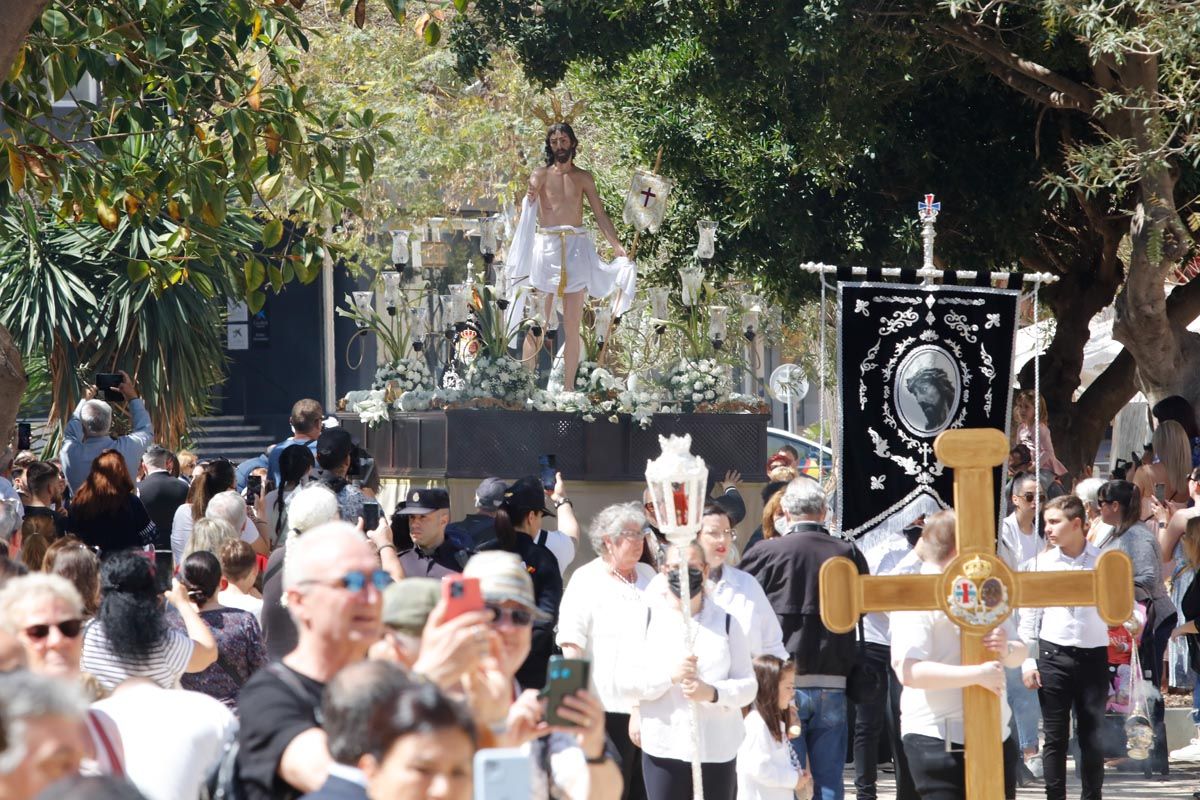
(928, 390)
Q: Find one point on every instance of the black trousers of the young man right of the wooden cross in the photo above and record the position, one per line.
(1073, 679)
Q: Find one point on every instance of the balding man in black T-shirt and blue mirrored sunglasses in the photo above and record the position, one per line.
(334, 590)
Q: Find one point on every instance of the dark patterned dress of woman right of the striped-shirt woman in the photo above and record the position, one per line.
(242, 653)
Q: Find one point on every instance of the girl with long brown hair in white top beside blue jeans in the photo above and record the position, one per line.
(769, 768)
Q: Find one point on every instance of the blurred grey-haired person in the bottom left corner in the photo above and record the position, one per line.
(43, 735)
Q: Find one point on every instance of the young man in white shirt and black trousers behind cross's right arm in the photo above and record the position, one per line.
(1072, 670)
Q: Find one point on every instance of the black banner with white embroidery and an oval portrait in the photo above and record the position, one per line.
(914, 362)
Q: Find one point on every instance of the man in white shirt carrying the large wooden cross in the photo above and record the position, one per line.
(927, 657)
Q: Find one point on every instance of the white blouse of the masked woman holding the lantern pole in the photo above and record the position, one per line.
(723, 663)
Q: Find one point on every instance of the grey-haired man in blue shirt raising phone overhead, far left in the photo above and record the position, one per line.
(88, 435)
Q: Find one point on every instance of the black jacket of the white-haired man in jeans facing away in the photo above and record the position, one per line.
(788, 568)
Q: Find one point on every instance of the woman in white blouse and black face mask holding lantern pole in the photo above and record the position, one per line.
(707, 664)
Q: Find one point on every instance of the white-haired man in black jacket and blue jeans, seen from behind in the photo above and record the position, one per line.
(789, 568)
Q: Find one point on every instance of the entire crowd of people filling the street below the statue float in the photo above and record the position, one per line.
(175, 630)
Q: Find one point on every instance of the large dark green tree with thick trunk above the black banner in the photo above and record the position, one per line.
(1060, 136)
